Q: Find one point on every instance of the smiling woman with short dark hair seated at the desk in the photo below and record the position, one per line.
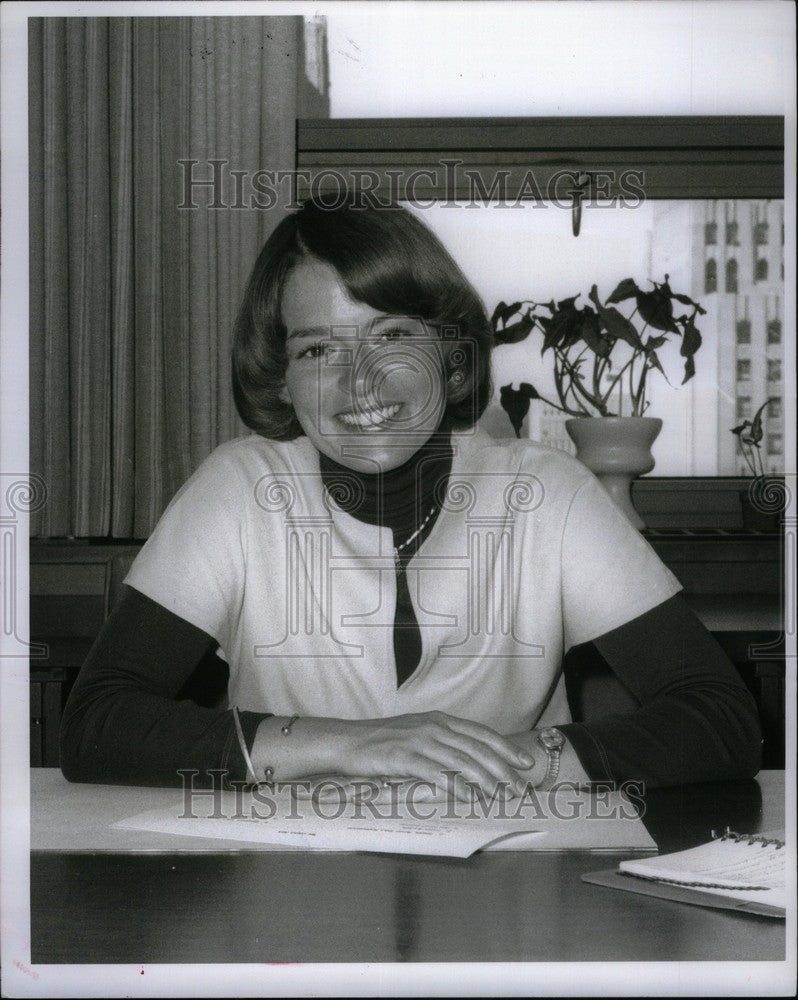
(393, 590)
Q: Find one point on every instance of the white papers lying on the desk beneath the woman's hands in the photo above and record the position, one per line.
(572, 818)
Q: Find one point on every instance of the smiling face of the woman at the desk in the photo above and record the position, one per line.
(367, 388)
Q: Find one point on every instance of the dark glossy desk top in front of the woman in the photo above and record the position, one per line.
(275, 906)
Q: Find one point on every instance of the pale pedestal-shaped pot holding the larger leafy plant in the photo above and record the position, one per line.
(617, 450)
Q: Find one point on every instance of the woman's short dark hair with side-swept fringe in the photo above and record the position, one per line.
(386, 258)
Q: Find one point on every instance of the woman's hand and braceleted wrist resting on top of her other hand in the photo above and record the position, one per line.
(449, 753)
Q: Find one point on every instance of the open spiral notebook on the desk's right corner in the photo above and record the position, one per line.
(733, 871)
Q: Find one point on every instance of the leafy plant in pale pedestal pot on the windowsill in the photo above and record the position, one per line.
(602, 361)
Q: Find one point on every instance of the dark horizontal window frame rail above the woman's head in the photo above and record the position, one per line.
(681, 157)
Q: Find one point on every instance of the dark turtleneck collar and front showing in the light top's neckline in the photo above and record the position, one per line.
(400, 499)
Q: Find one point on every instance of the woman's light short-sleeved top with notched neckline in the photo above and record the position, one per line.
(527, 558)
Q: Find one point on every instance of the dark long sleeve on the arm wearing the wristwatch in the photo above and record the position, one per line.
(696, 720)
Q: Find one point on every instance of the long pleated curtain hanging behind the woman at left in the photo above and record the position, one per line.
(132, 297)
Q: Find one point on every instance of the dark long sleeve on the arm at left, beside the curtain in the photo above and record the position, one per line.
(125, 721)
